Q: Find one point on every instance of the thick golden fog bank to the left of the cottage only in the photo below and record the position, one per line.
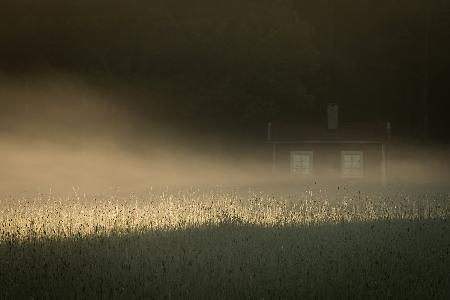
(57, 133)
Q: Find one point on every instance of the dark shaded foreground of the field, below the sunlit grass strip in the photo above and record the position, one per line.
(394, 259)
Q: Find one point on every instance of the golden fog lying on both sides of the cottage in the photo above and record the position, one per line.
(58, 132)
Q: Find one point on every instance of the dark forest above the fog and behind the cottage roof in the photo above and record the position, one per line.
(237, 64)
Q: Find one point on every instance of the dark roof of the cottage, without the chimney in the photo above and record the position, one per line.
(289, 132)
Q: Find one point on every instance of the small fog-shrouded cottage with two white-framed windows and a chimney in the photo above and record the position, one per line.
(347, 151)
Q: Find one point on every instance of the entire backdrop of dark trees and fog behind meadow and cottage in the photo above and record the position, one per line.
(139, 93)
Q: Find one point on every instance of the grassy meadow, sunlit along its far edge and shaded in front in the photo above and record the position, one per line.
(226, 243)
